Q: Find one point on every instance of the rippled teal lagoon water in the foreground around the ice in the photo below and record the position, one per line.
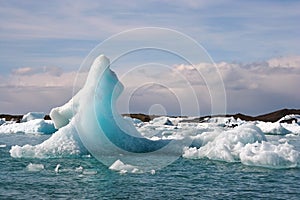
(86, 178)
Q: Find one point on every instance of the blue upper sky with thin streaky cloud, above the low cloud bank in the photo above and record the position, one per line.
(63, 32)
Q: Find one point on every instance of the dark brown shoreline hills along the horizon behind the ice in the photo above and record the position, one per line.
(269, 117)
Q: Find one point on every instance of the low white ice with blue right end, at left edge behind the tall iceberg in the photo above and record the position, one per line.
(32, 126)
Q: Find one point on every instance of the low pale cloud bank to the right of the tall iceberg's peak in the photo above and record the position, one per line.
(252, 88)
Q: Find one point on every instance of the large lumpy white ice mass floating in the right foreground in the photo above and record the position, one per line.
(245, 144)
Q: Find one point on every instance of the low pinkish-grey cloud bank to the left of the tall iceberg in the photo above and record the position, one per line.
(37, 89)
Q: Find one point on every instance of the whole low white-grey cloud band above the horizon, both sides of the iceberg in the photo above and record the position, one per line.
(250, 88)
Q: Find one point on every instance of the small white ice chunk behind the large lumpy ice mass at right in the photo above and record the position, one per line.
(273, 128)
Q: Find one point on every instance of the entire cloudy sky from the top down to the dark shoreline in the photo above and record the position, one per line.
(254, 45)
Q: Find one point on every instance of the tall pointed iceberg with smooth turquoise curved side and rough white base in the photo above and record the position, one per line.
(90, 119)
